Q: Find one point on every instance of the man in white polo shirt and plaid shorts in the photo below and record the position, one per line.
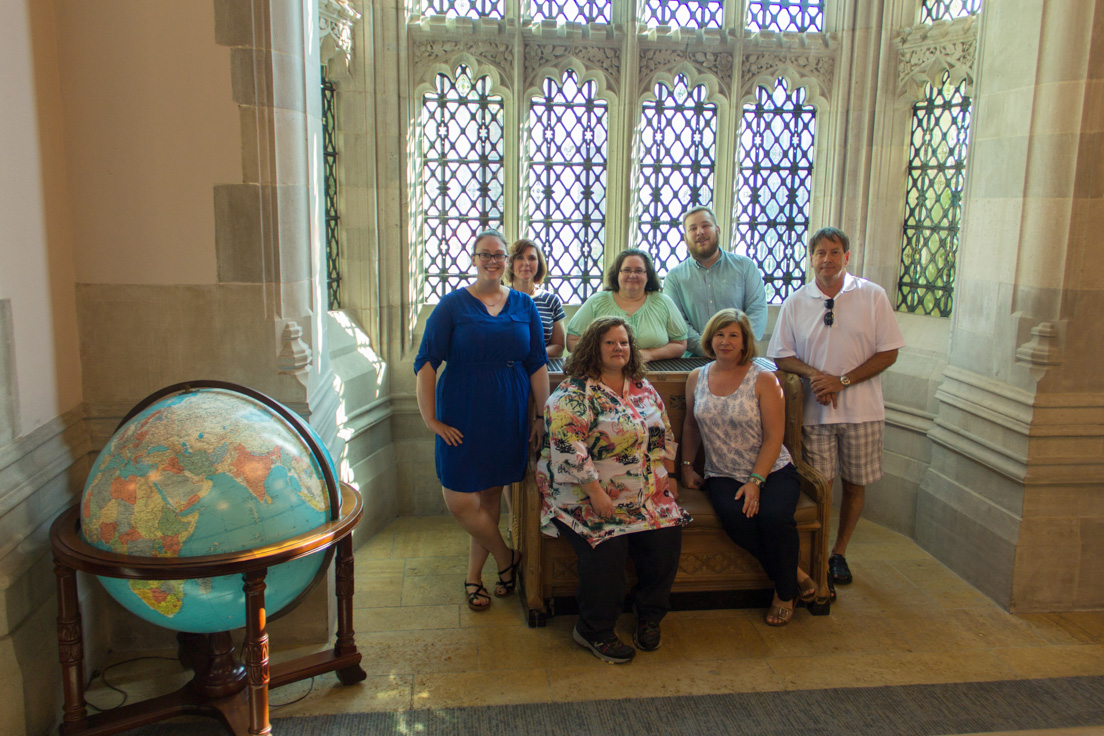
(840, 334)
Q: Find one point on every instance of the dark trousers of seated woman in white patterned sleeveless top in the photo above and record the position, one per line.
(771, 535)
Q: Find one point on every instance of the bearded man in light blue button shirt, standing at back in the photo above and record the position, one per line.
(713, 280)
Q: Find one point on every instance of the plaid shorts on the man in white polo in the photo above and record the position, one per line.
(858, 449)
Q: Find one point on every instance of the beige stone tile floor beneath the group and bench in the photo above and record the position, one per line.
(907, 620)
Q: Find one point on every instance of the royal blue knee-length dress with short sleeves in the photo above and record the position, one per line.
(484, 390)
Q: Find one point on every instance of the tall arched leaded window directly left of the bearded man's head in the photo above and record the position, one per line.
(676, 155)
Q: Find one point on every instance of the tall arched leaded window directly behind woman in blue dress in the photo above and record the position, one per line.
(462, 177)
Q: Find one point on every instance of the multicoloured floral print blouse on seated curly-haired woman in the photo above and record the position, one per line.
(593, 434)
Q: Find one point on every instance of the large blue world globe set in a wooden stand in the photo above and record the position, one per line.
(201, 472)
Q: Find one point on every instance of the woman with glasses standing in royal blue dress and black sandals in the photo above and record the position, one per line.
(493, 343)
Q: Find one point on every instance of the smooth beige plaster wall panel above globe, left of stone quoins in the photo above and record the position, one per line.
(151, 129)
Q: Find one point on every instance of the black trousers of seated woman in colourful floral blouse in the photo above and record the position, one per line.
(601, 593)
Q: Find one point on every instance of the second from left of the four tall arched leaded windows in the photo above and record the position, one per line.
(567, 179)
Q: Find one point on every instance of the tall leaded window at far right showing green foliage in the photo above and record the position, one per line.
(933, 199)
